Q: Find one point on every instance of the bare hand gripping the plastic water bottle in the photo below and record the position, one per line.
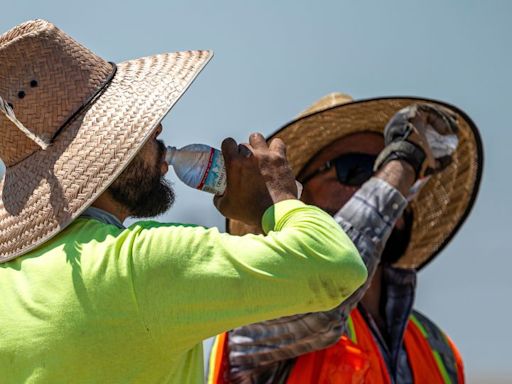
(258, 176)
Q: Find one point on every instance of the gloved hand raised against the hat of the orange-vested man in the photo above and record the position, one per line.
(424, 135)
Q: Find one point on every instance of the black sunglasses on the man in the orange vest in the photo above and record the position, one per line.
(351, 169)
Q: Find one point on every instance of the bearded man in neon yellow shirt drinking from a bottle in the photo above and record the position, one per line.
(85, 300)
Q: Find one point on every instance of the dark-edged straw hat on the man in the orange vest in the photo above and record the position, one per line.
(445, 201)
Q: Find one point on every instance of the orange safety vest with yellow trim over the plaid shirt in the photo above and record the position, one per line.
(356, 357)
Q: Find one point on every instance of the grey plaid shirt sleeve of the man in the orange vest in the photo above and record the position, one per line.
(368, 219)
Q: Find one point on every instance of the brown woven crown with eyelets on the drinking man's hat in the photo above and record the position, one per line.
(45, 76)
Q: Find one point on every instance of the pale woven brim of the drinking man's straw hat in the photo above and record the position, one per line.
(45, 192)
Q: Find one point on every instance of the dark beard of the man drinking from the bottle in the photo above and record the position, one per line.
(142, 189)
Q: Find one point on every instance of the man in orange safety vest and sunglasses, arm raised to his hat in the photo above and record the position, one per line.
(374, 336)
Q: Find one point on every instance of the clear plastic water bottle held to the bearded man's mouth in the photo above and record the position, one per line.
(199, 166)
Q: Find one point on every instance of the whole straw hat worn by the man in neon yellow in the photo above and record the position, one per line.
(70, 122)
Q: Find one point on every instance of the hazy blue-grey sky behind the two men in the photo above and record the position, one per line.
(274, 58)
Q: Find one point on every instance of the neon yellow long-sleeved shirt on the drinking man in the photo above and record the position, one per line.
(100, 304)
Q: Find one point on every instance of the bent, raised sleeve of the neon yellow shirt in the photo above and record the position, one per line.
(191, 283)
